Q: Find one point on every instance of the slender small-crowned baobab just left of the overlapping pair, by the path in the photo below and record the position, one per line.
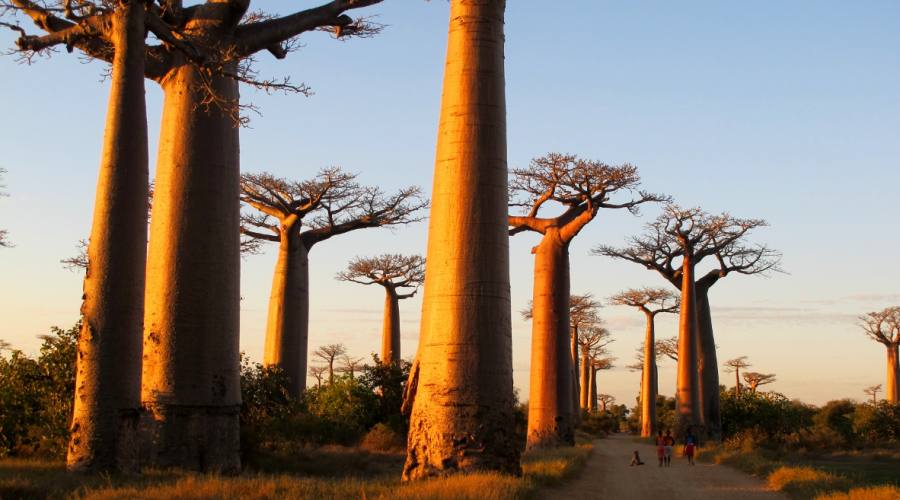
(650, 301)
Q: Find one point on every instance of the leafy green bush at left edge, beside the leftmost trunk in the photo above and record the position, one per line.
(36, 397)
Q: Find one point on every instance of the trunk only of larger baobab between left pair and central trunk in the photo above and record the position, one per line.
(288, 322)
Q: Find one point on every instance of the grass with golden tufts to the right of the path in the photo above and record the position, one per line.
(823, 475)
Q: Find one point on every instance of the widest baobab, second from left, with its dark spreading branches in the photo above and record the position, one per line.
(190, 370)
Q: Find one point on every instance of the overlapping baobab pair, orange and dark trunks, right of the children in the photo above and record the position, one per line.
(675, 243)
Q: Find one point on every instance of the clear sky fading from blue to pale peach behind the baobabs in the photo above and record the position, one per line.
(786, 111)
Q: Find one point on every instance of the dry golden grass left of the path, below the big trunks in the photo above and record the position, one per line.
(329, 472)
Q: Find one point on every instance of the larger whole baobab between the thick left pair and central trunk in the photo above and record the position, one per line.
(297, 216)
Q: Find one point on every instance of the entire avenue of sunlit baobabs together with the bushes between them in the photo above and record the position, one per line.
(152, 376)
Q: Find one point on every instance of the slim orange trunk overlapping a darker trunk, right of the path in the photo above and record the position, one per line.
(689, 416)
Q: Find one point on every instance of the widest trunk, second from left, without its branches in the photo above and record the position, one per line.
(191, 384)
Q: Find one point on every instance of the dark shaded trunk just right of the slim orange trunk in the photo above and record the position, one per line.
(708, 367)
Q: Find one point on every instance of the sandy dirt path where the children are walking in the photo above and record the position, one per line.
(607, 475)
